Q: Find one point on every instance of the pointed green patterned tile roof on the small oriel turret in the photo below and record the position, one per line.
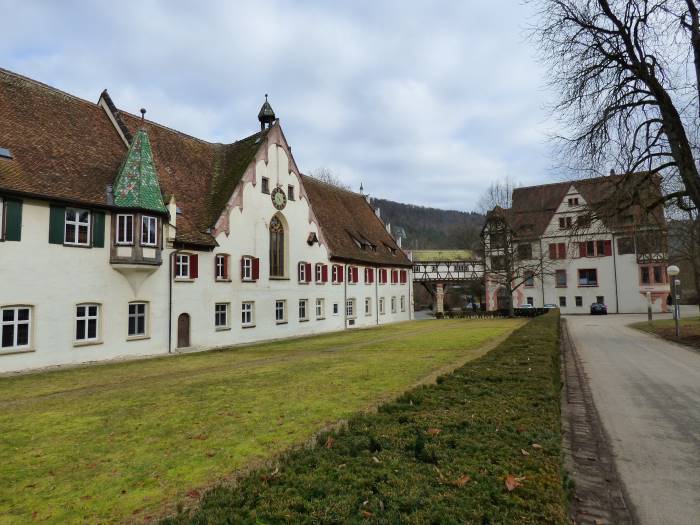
(137, 184)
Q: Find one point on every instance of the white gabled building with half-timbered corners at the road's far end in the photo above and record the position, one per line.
(577, 243)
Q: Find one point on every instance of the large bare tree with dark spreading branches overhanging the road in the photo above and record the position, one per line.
(628, 74)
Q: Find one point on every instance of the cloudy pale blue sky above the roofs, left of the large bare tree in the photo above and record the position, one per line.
(424, 102)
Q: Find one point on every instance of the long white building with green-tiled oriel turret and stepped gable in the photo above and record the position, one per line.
(120, 237)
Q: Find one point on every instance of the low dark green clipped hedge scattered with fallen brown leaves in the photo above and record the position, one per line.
(438, 454)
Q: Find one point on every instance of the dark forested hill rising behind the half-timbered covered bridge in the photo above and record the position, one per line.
(431, 228)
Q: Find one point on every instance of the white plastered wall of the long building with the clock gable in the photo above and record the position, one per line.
(53, 279)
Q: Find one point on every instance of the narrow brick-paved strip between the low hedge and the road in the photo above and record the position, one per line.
(598, 495)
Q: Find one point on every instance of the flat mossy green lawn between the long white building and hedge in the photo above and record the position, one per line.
(123, 441)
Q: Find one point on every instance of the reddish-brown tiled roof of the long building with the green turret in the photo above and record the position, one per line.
(67, 149)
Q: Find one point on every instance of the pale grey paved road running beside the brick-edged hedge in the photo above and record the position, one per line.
(647, 392)
